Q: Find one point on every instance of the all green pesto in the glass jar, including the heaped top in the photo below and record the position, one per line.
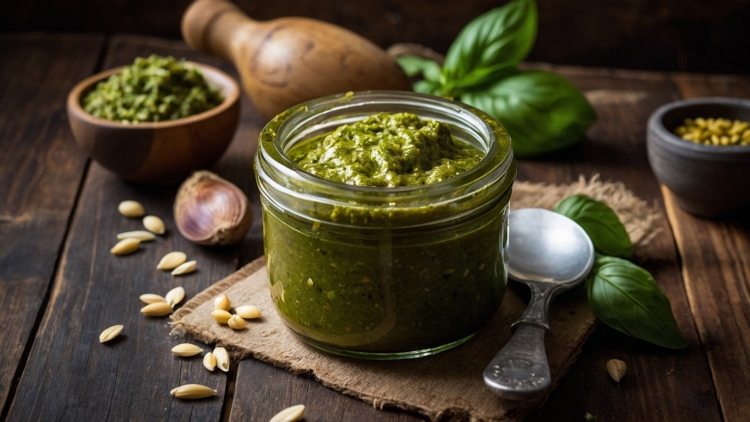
(349, 279)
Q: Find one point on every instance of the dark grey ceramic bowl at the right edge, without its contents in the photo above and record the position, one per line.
(707, 180)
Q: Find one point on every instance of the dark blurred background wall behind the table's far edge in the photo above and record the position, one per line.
(686, 35)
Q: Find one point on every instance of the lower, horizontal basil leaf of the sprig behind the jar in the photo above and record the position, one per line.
(542, 111)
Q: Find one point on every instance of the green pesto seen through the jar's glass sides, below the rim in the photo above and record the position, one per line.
(384, 293)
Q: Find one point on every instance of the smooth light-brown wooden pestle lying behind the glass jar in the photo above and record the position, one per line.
(286, 61)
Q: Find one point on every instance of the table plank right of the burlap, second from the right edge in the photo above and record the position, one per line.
(661, 384)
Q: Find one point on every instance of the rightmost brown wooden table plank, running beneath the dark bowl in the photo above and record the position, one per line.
(716, 268)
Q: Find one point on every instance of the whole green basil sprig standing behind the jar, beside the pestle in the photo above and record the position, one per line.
(542, 111)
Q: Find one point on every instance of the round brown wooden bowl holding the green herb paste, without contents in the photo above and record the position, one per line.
(161, 152)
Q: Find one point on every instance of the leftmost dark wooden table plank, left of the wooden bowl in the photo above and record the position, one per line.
(41, 170)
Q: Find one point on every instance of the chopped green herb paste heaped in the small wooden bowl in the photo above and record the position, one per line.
(154, 89)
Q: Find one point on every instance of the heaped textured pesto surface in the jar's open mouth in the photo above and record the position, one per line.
(387, 150)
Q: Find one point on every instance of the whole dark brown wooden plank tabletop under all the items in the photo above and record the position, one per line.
(61, 287)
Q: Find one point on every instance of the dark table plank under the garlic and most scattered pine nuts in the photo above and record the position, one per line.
(70, 375)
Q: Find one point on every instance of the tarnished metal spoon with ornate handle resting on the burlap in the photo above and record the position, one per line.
(551, 254)
